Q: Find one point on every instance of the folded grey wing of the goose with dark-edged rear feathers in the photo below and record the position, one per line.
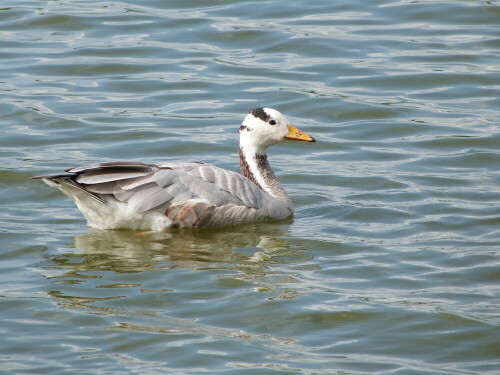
(146, 186)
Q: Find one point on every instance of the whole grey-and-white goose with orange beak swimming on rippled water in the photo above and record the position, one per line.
(142, 196)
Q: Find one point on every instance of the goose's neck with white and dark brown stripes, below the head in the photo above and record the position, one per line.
(256, 168)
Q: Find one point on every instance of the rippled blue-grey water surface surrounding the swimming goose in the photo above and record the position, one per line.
(391, 262)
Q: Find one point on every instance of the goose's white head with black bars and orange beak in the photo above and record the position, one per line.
(264, 127)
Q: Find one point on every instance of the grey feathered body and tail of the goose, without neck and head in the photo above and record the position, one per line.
(147, 196)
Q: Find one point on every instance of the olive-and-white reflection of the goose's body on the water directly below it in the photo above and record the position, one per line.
(245, 249)
